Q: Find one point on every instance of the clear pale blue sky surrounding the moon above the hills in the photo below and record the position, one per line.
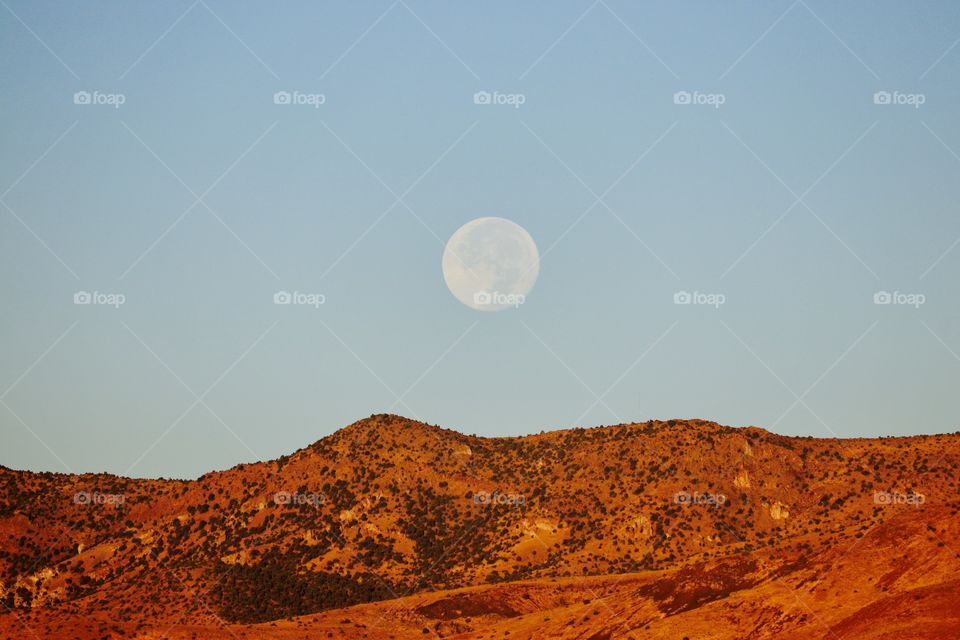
(790, 168)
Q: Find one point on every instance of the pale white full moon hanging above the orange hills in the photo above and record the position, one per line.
(491, 264)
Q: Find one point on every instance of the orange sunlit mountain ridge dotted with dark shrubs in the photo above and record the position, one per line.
(391, 528)
